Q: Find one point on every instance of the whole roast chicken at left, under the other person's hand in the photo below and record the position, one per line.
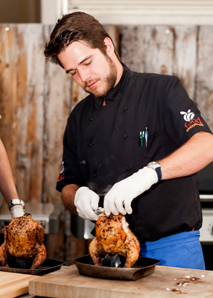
(23, 238)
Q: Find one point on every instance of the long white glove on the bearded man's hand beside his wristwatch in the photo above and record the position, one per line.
(119, 198)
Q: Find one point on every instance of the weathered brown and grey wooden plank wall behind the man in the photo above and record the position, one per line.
(36, 97)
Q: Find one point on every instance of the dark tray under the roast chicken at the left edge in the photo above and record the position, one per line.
(48, 266)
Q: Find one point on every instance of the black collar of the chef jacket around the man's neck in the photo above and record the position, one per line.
(117, 90)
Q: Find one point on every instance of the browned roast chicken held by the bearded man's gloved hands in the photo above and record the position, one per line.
(113, 236)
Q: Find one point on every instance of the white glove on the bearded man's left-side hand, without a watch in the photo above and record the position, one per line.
(86, 201)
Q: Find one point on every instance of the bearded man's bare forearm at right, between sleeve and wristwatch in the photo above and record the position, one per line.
(194, 155)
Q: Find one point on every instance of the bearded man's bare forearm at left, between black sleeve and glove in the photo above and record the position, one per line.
(68, 195)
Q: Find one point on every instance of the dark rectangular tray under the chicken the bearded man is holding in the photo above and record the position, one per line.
(142, 268)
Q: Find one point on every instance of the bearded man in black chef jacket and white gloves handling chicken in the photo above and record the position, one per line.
(132, 146)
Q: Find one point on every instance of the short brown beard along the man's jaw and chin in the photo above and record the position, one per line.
(109, 81)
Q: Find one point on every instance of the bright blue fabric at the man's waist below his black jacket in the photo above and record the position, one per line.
(180, 250)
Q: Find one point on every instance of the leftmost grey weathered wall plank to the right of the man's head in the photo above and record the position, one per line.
(133, 47)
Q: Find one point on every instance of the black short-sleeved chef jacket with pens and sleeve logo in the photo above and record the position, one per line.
(101, 147)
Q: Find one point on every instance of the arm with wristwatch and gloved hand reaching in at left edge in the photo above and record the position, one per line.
(7, 186)
